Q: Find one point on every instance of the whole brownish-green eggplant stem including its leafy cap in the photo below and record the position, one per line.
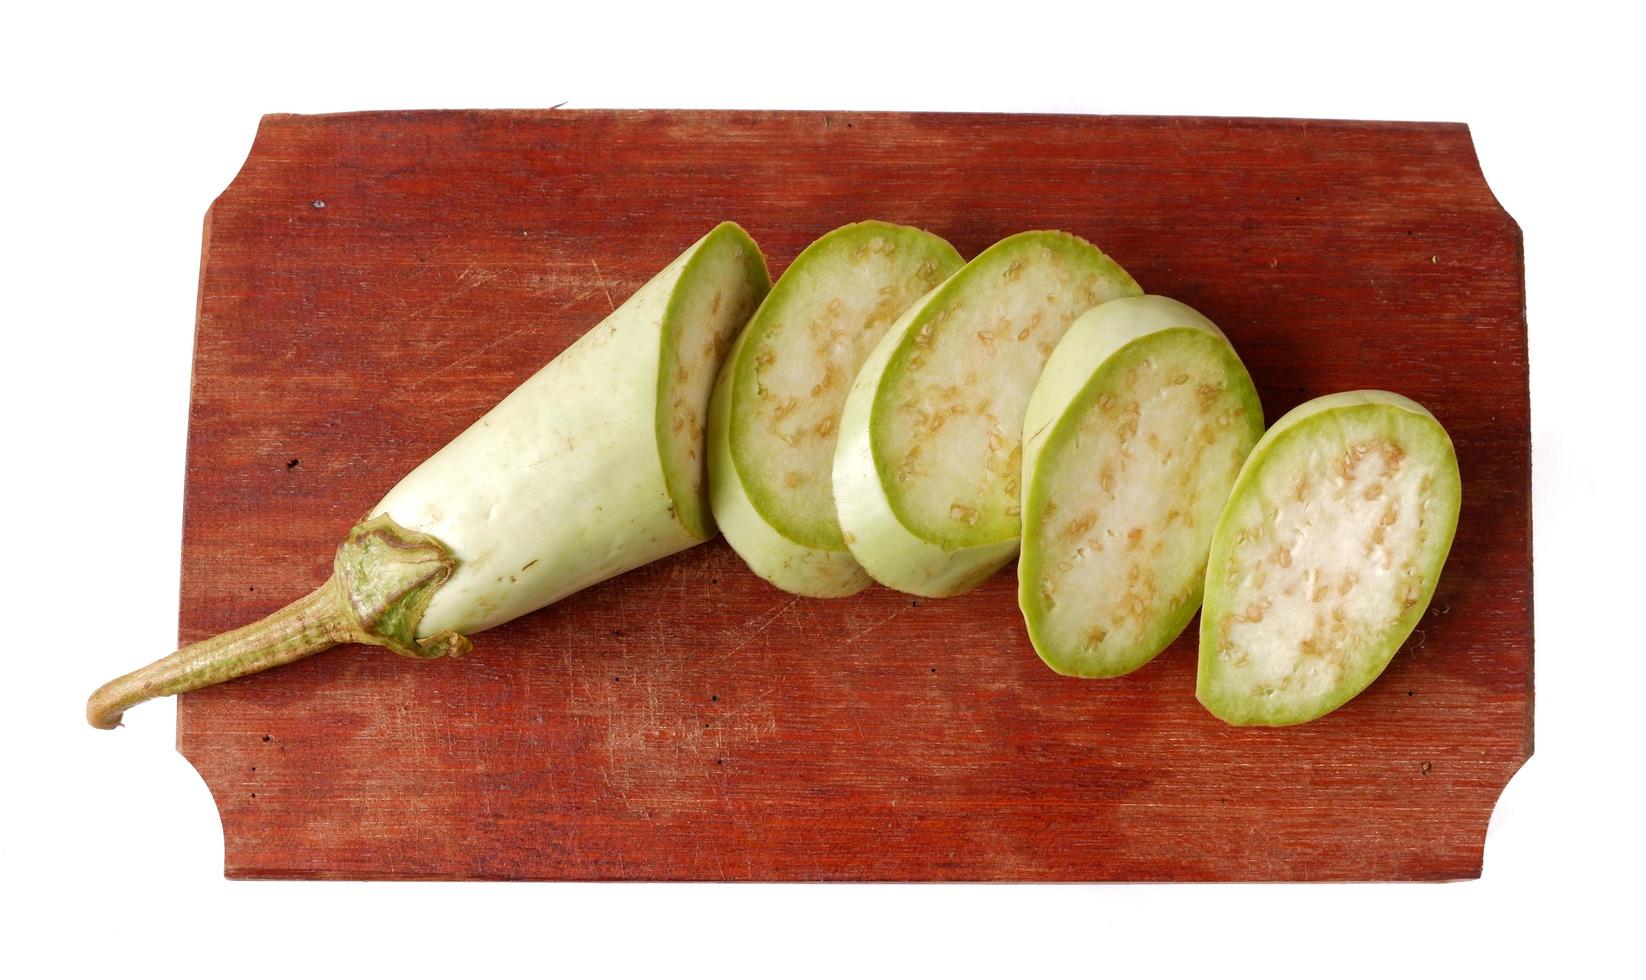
(381, 586)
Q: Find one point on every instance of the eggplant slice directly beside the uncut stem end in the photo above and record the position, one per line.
(776, 409)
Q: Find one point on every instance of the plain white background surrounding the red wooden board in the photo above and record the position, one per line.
(124, 124)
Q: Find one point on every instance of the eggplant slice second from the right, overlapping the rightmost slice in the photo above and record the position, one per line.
(1132, 444)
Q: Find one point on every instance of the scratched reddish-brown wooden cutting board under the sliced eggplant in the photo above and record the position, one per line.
(374, 282)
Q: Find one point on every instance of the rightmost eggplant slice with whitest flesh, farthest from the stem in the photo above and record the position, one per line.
(1326, 558)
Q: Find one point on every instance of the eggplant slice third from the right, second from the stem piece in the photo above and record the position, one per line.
(928, 469)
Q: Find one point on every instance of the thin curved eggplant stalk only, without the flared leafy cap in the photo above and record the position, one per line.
(315, 623)
